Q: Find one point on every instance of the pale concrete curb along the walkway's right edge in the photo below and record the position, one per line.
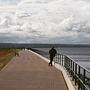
(62, 69)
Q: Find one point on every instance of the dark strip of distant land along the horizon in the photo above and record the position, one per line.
(35, 45)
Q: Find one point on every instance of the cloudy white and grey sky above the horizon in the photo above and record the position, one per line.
(45, 21)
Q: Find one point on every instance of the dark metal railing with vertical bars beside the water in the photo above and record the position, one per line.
(79, 74)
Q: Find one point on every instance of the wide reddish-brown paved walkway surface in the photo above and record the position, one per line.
(29, 72)
